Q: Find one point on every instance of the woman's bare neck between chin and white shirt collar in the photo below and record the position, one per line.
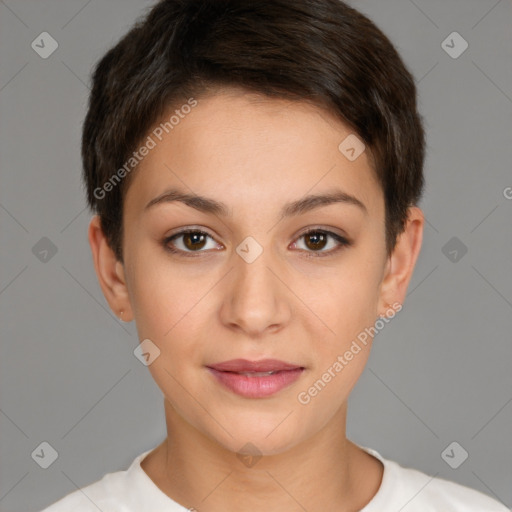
(326, 472)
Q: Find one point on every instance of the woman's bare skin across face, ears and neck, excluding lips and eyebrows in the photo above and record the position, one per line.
(255, 154)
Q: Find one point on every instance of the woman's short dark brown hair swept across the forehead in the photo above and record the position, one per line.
(321, 51)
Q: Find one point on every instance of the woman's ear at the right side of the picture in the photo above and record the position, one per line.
(400, 264)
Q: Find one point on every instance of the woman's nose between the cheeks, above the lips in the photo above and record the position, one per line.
(256, 301)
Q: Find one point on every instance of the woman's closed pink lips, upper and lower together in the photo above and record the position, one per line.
(229, 373)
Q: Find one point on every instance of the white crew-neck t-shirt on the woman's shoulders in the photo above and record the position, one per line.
(404, 489)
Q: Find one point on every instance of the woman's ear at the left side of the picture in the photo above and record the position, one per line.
(110, 272)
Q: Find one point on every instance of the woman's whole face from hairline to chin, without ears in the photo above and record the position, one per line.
(253, 285)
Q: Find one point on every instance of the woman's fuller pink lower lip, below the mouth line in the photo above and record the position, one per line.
(257, 387)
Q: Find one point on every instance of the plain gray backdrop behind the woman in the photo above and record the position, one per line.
(439, 372)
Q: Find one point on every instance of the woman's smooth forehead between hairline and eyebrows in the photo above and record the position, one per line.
(243, 147)
